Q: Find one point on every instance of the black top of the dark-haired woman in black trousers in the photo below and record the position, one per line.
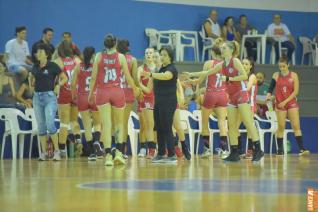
(166, 88)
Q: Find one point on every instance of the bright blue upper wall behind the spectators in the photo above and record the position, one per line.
(89, 21)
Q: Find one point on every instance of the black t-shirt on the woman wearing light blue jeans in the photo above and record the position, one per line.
(45, 77)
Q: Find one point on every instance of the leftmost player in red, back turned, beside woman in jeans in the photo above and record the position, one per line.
(67, 108)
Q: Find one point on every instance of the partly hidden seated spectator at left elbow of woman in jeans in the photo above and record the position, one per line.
(25, 93)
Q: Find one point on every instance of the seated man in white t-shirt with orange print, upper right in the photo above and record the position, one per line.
(280, 33)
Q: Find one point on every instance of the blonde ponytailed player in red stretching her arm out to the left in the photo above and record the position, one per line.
(234, 76)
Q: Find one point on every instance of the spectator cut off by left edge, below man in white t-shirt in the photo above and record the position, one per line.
(7, 91)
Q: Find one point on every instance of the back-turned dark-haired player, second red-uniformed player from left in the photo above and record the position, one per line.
(80, 88)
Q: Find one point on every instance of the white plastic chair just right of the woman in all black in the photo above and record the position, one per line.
(193, 127)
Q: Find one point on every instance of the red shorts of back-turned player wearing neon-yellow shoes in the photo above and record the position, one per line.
(114, 96)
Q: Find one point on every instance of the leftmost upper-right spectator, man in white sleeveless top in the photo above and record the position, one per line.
(211, 27)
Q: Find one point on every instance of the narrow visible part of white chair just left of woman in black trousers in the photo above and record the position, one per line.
(133, 132)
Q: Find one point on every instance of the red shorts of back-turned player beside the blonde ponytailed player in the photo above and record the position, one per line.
(213, 99)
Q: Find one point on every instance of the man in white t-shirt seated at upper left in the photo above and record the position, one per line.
(17, 52)
